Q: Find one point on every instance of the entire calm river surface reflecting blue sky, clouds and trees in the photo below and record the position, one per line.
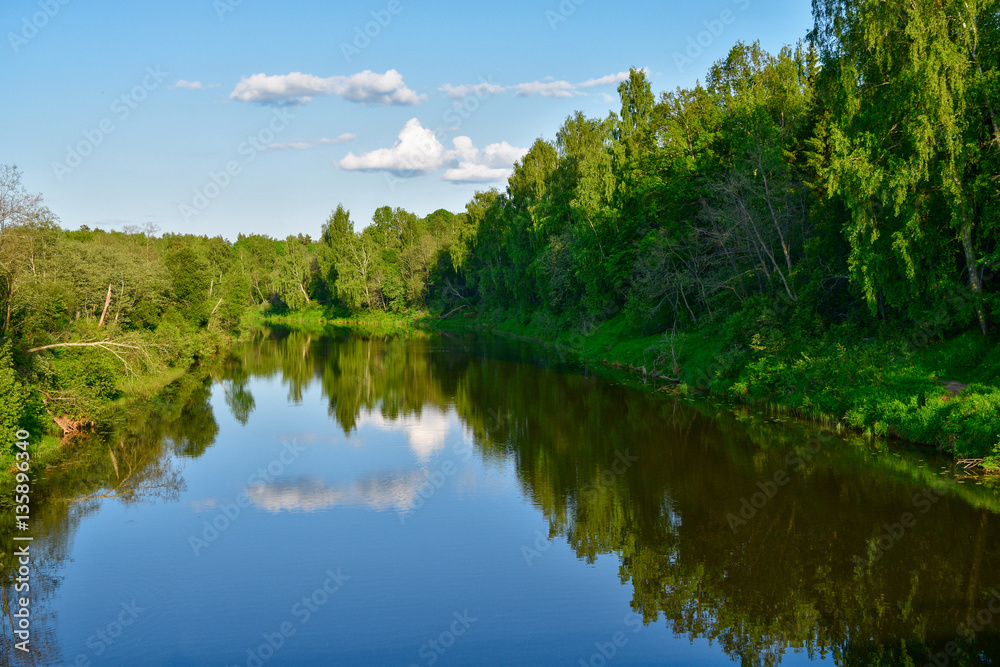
(347, 499)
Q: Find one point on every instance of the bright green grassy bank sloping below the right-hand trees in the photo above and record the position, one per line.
(887, 383)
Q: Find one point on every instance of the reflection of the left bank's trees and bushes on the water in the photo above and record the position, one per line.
(128, 460)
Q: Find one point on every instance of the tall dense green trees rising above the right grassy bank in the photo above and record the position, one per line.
(819, 177)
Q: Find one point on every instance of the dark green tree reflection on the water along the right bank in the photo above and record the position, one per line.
(653, 481)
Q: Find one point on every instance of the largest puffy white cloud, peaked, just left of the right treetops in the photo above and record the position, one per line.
(418, 151)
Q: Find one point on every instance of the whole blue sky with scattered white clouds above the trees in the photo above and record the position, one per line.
(222, 117)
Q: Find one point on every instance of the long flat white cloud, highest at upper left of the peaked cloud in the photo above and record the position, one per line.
(367, 87)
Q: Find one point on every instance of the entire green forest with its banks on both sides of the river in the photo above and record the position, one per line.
(815, 229)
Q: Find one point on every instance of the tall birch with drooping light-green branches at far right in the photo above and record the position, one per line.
(913, 125)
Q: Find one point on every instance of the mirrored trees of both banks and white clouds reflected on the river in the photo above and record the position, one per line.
(820, 560)
